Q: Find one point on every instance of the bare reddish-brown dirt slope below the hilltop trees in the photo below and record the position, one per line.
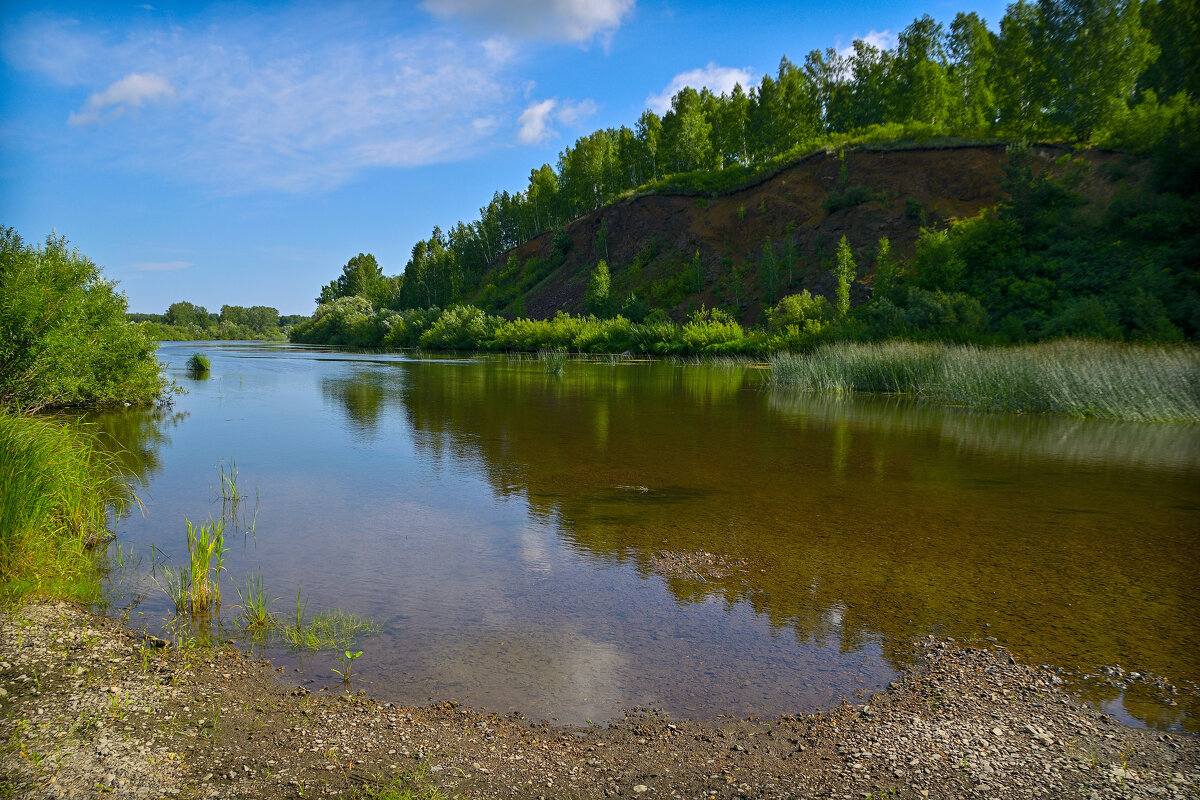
(908, 189)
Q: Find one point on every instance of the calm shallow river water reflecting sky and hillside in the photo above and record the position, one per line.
(507, 528)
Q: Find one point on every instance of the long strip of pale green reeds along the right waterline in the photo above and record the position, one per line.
(1075, 378)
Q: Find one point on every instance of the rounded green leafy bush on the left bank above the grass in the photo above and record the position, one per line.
(64, 339)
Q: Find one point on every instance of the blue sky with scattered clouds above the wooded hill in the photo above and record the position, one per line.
(243, 153)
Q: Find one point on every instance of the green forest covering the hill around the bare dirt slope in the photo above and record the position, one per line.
(1043, 263)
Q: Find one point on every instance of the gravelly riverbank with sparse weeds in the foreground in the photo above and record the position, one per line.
(91, 709)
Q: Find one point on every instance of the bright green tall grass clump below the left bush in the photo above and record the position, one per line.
(57, 485)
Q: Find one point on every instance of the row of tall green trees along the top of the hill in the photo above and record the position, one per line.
(1058, 70)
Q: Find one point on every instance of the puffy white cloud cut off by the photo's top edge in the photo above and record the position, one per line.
(561, 21)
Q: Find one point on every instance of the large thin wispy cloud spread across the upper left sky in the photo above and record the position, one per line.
(295, 100)
